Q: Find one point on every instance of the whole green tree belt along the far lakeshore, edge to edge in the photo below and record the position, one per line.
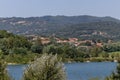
(17, 49)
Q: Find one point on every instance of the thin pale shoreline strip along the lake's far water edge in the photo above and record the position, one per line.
(77, 60)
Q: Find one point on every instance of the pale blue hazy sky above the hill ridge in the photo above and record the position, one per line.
(37, 8)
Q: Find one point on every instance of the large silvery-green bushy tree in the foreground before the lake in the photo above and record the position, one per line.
(47, 67)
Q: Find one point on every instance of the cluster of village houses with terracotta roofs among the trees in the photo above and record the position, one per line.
(75, 41)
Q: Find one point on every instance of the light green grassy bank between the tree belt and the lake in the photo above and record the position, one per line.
(20, 59)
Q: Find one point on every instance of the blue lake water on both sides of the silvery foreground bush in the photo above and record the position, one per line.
(75, 71)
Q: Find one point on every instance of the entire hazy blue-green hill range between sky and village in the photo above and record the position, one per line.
(64, 26)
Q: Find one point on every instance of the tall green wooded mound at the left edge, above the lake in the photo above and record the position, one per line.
(14, 48)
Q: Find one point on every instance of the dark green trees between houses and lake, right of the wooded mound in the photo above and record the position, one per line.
(83, 52)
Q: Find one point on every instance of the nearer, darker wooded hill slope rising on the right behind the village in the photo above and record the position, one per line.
(93, 30)
